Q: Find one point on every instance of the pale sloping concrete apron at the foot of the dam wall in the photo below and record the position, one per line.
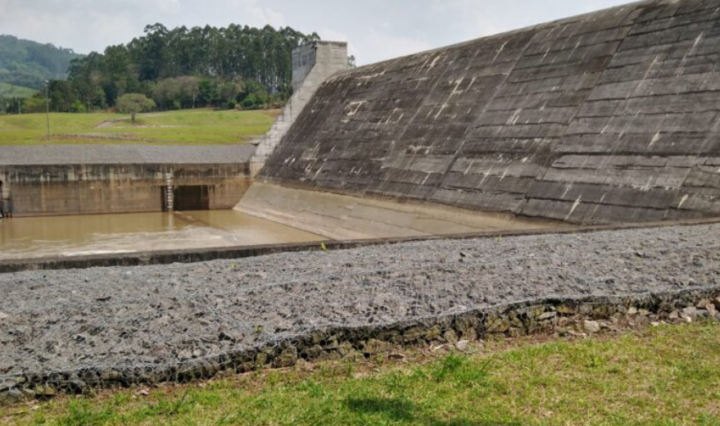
(344, 217)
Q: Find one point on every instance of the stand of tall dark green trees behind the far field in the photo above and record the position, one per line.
(180, 68)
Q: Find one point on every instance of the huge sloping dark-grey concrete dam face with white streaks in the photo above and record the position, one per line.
(608, 117)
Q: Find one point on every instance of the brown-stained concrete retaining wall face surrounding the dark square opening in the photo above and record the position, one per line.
(99, 189)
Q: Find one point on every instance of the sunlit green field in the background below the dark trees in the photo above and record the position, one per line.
(194, 127)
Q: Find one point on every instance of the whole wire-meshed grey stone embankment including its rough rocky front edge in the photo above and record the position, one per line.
(68, 331)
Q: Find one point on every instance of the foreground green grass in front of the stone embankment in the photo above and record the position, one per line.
(663, 376)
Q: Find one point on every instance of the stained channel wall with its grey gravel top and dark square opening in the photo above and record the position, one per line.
(69, 180)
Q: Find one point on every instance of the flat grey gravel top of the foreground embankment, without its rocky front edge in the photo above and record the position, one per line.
(153, 316)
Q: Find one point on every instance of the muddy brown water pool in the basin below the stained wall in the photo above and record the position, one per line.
(22, 238)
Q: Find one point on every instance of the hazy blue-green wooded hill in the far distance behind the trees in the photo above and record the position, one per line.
(28, 64)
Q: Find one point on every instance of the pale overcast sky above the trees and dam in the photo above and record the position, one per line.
(375, 29)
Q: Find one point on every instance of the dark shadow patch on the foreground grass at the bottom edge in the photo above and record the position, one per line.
(403, 411)
